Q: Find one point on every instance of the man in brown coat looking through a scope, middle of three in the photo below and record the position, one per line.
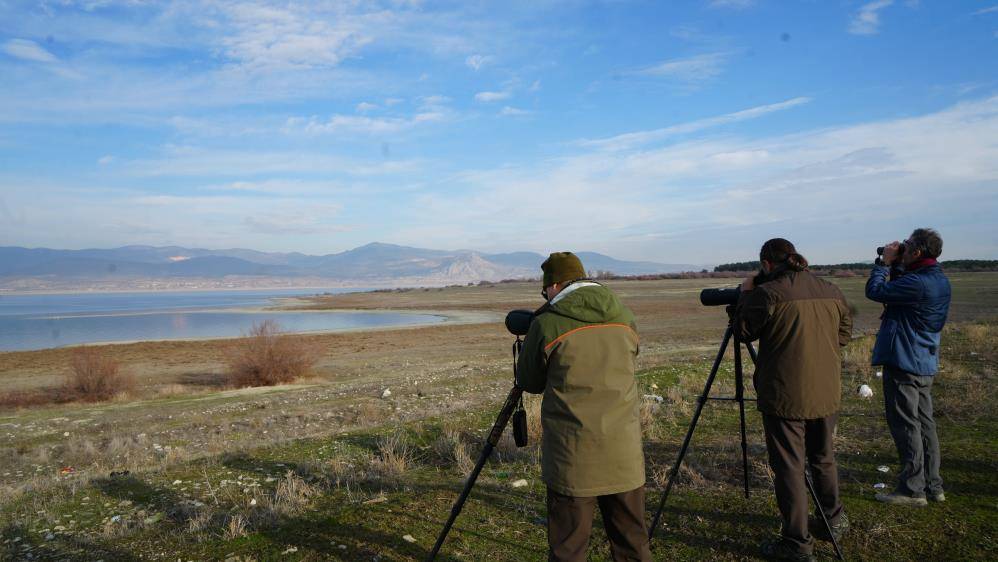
(802, 323)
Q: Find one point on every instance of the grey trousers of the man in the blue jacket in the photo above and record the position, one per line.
(908, 404)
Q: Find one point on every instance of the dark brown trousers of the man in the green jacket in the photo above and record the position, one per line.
(570, 521)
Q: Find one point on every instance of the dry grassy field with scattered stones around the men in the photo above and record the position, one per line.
(335, 467)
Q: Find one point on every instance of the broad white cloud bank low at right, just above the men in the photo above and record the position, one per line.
(939, 169)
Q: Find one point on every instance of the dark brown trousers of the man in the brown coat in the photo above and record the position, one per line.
(789, 442)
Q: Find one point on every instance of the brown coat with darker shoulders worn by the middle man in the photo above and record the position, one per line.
(802, 322)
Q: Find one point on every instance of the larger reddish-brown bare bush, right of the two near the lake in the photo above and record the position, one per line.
(267, 357)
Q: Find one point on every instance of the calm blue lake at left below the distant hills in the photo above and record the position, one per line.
(43, 321)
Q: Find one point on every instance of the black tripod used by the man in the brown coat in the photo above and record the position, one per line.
(740, 398)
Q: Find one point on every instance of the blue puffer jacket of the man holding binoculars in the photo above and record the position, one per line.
(917, 305)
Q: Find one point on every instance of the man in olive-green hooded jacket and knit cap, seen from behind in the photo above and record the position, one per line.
(580, 353)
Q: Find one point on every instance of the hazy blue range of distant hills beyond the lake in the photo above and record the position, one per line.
(372, 264)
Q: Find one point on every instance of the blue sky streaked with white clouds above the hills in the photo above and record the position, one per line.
(676, 132)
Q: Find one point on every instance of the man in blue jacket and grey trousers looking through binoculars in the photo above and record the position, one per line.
(916, 303)
